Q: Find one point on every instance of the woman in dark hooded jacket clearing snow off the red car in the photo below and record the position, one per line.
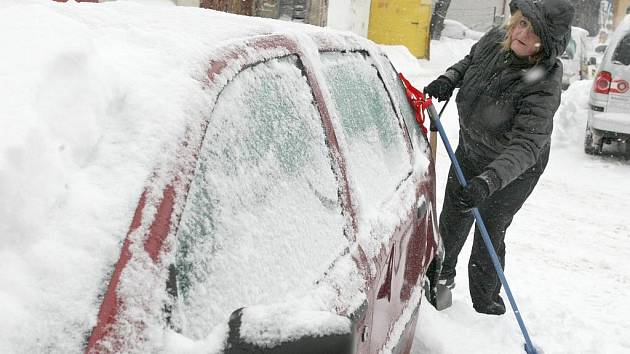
(509, 89)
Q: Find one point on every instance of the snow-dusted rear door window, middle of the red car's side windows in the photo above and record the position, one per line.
(377, 153)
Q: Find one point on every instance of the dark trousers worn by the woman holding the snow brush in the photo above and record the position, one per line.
(497, 213)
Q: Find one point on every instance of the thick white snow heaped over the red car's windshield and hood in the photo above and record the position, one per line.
(94, 97)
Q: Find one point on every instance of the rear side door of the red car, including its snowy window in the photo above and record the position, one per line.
(378, 154)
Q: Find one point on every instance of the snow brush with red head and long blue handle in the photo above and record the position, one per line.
(419, 102)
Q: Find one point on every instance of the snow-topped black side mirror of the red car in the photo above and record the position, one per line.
(318, 333)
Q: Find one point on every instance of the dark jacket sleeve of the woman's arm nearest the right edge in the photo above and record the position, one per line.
(531, 128)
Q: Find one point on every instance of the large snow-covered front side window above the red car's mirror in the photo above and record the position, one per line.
(262, 216)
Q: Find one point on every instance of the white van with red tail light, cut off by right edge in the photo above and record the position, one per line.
(609, 101)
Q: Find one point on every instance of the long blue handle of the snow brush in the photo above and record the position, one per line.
(435, 118)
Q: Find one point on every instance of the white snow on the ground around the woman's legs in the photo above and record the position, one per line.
(568, 248)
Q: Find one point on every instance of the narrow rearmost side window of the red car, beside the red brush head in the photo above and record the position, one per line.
(400, 99)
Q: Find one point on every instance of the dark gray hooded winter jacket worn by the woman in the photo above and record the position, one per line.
(506, 104)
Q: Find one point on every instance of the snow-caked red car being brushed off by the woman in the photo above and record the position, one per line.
(297, 217)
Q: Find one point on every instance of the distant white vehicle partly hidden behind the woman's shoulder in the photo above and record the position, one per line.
(574, 59)
